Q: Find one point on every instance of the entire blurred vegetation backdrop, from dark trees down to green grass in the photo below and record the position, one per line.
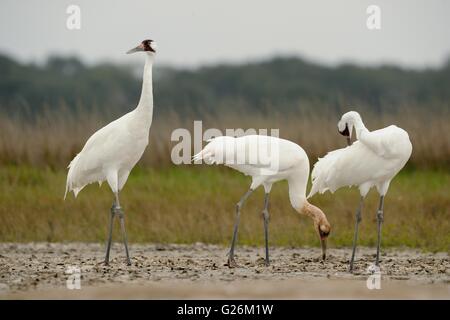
(48, 111)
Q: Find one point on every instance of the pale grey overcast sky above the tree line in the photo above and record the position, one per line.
(414, 33)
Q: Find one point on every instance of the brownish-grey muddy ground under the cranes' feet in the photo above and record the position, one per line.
(40, 270)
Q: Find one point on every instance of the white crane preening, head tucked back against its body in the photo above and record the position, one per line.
(373, 160)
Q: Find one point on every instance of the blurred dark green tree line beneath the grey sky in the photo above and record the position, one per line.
(285, 83)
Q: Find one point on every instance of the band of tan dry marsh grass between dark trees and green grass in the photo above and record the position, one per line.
(54, 138)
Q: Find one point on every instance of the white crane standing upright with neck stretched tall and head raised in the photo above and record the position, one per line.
(111, 152)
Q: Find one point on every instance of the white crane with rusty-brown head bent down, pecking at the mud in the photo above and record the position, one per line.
(267, 160)
